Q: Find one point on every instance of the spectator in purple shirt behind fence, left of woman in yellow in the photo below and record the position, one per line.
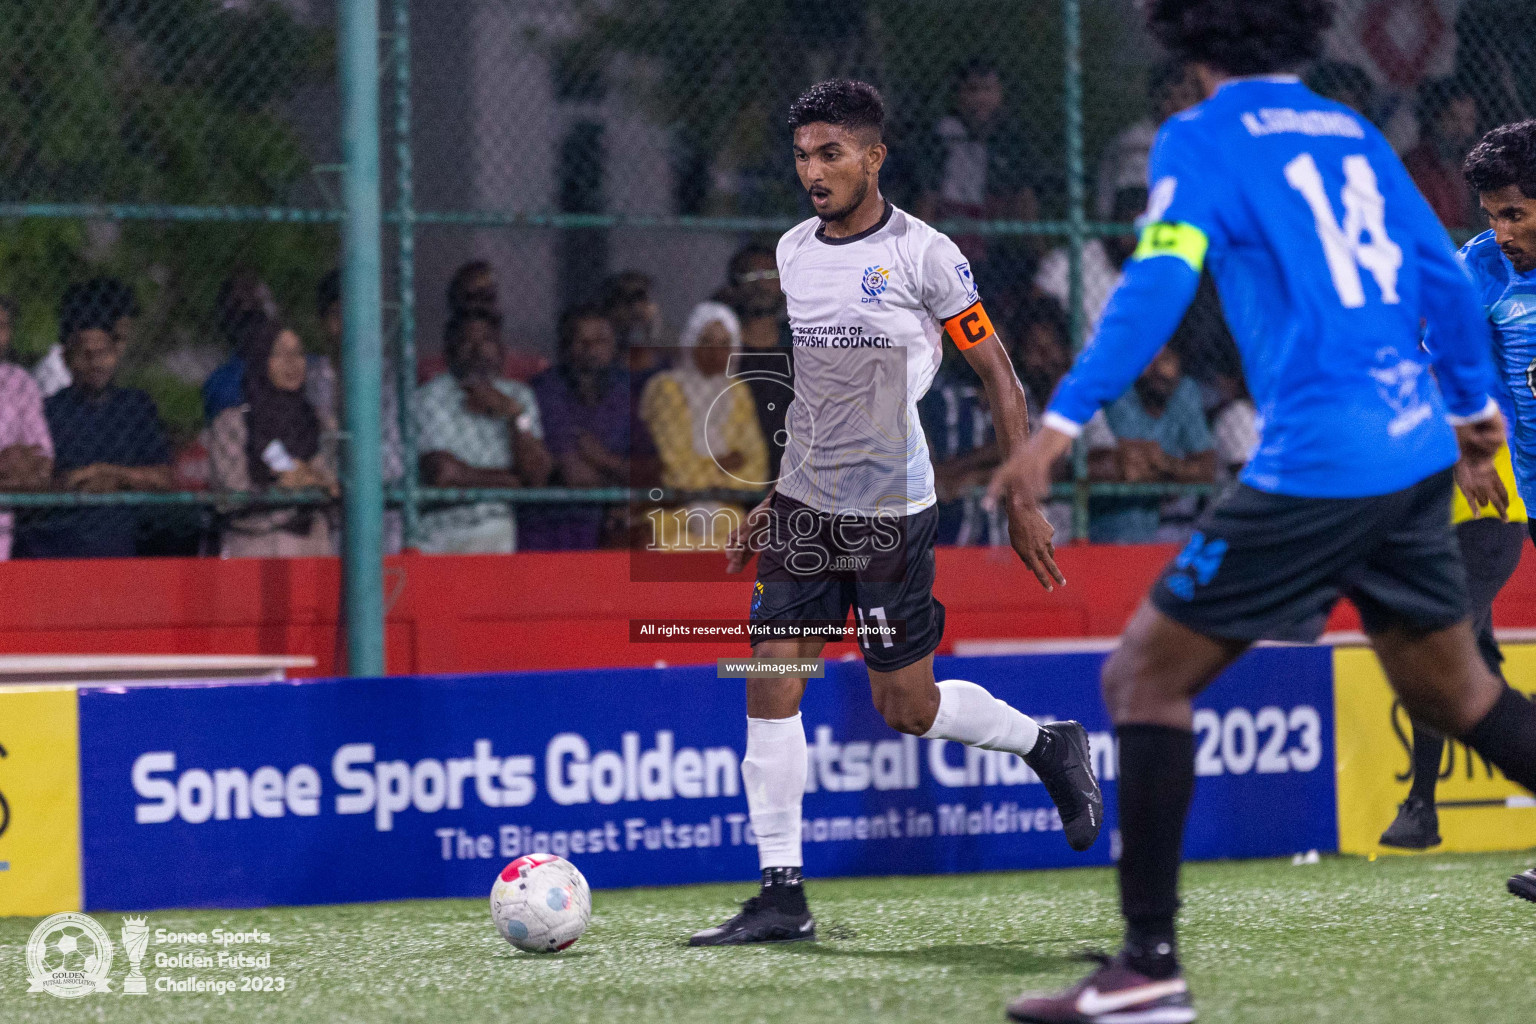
(584, 403)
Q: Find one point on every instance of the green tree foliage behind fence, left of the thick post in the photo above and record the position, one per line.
(156, 102)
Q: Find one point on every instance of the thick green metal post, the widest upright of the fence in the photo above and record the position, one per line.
(362, 337)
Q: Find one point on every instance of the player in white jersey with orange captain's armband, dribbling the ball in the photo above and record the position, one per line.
(850, 524)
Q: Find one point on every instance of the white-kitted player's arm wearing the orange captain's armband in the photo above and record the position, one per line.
(1028, 530)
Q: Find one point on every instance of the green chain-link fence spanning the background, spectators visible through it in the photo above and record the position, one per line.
(566, 183)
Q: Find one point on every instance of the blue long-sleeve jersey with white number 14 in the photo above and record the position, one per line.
(1328, 262)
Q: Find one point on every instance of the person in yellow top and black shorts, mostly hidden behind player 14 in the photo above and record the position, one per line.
(1491, 549)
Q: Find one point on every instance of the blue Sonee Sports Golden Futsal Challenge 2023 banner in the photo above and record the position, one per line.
(270, 794)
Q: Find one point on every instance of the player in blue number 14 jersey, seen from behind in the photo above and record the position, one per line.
(1328, 260)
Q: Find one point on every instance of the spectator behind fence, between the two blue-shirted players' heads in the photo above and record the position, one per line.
(1448, 114)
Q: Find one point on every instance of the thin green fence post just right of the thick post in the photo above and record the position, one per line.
(406, 225)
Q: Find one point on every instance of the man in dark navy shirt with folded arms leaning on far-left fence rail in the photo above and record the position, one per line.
(107, 438)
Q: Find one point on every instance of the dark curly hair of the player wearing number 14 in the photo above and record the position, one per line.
(1242, 38)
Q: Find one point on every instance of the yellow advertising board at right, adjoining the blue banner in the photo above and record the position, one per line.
(1480, 810)
